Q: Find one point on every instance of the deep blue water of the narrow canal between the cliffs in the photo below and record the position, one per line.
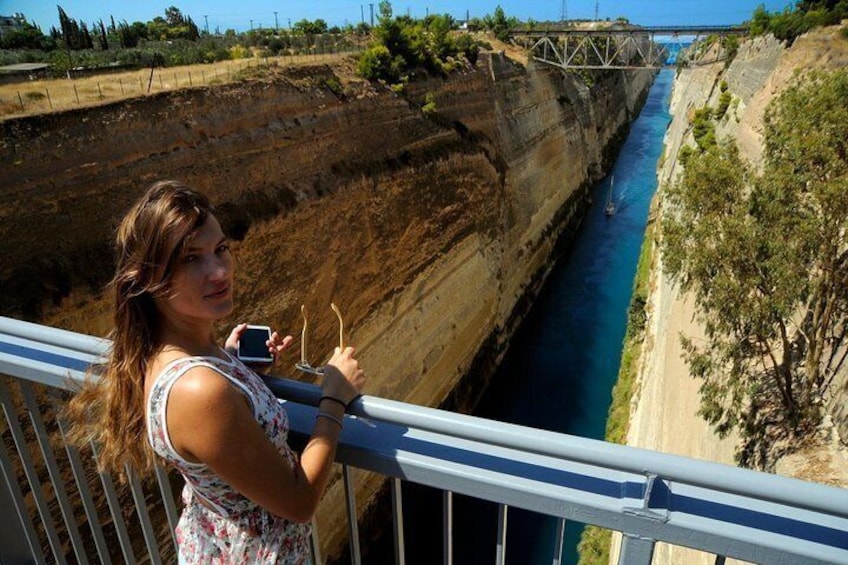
(562, 364)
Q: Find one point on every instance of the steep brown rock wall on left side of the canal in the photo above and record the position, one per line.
(431, 232)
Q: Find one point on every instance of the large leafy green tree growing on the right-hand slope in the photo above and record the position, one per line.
(766, 258)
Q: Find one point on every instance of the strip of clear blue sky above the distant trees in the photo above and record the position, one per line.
(242, 14)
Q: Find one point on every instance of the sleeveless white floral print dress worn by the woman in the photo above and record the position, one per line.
(218, 525)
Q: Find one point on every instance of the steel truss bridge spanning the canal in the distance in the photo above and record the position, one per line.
(621, 48)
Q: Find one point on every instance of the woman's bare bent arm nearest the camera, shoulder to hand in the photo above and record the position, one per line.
(211, 422)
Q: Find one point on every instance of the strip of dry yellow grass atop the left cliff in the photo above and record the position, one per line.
(50, 95)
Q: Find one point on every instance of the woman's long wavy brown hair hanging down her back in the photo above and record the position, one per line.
(110, 411)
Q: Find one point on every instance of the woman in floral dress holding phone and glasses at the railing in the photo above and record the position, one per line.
(169, 386)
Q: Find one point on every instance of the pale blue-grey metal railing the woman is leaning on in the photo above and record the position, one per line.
(648, 496)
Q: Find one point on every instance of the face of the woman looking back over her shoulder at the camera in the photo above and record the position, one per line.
(201, 285)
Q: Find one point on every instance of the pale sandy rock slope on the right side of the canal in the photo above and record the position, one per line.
(664, 411)
